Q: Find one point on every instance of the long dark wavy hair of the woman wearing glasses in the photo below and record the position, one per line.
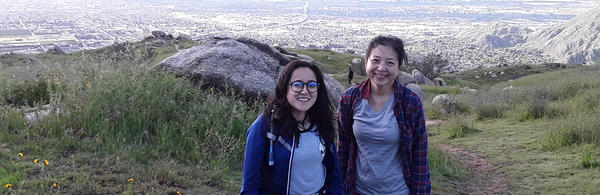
(320, 113)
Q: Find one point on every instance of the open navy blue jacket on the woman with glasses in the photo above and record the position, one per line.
(260, 178)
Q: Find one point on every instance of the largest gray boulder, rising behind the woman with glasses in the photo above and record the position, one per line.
(243, 64)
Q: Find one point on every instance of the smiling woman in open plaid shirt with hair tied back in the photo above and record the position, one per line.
(382, 143)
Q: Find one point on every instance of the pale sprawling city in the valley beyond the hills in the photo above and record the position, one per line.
(34, 26)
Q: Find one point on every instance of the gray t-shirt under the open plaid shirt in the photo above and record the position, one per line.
(379, 164)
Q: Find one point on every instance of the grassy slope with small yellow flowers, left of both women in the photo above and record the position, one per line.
(120, 119)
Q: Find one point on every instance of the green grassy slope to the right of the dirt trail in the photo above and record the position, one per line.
(543, 132)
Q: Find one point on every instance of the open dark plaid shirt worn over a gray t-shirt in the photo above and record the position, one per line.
(409, 113)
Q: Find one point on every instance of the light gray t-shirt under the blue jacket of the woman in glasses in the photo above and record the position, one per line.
(308, 170)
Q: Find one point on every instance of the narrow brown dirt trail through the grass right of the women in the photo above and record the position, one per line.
(484, 177)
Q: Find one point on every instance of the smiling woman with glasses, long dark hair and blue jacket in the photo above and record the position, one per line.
(290, 147)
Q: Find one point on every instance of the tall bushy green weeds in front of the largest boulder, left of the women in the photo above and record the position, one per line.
(165, 115)
